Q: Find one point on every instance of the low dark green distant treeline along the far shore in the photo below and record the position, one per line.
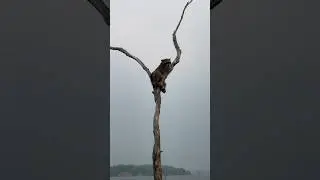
(144, 170)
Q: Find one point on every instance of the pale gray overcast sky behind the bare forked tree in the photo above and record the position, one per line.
(144, 28)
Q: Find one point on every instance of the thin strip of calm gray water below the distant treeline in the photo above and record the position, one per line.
(163, 178)
